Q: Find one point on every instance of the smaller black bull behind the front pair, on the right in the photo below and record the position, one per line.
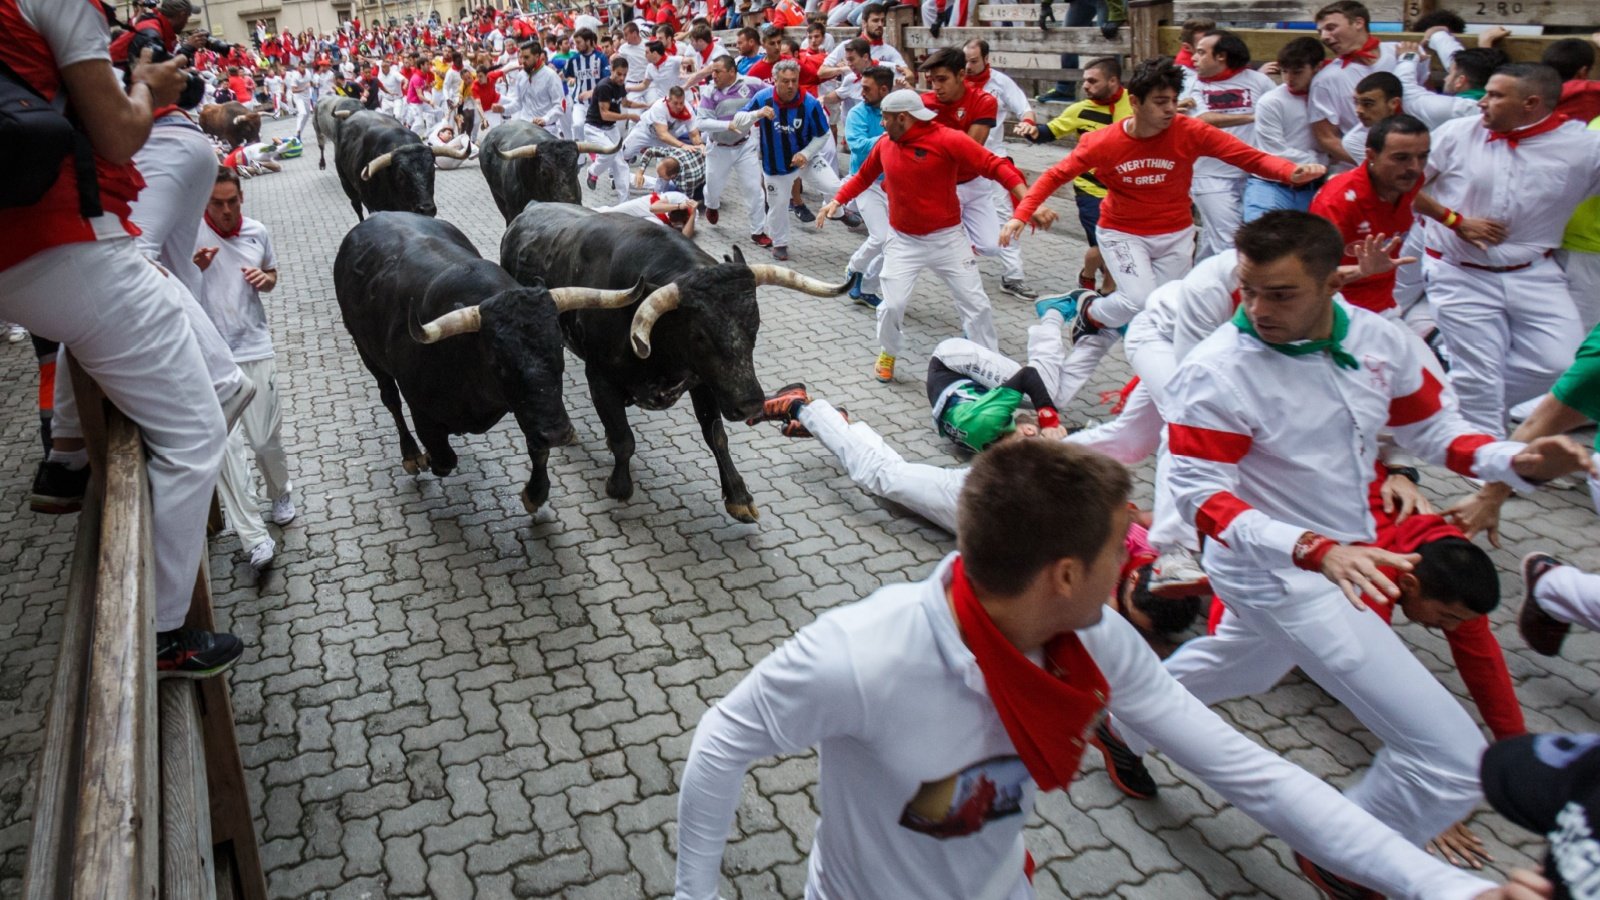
(524, 163)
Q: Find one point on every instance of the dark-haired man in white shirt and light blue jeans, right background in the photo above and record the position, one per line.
(1284, 131)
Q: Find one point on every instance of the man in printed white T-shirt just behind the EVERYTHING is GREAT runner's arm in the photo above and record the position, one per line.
(1225, 94)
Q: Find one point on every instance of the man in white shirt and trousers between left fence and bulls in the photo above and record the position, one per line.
(238, 265)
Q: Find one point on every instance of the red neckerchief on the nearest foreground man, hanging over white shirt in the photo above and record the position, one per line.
(1050, 713)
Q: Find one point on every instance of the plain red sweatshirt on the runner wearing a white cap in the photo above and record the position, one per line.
(921, 172)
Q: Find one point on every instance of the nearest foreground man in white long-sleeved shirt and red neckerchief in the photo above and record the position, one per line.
(943, 709)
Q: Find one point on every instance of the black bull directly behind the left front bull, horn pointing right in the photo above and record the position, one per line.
(385, 166)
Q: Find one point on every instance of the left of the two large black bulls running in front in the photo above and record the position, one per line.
(457, 337)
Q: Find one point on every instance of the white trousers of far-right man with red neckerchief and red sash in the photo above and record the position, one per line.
(1510, 335)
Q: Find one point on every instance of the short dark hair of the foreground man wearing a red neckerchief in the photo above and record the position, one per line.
(1028, 504)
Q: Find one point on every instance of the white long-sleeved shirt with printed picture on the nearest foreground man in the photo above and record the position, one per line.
(911, 742)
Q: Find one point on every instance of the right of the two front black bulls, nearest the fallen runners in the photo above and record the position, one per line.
(695, 332)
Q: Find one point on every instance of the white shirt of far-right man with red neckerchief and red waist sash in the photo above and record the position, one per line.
(1534, 188)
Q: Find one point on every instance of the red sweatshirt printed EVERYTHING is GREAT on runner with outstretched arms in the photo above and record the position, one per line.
(1148, 179)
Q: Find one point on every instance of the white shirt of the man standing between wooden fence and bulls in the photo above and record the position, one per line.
(228, 299)
